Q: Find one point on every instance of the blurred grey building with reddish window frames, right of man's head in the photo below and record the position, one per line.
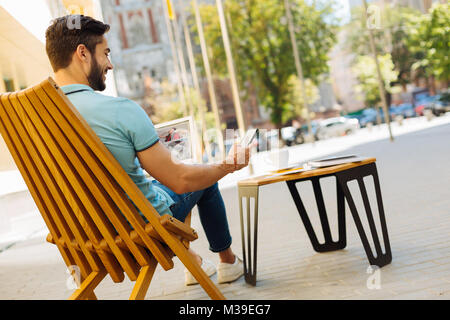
(139, 44)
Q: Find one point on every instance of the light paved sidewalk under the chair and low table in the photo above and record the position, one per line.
(414, 176)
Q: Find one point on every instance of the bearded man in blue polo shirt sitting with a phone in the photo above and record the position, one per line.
(79, 55)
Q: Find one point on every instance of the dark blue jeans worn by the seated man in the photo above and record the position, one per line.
(211, 210)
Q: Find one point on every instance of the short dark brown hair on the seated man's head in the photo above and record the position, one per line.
(66, 33)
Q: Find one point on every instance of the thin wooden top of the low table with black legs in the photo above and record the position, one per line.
(275, 177)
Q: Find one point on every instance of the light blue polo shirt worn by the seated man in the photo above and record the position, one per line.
(124, 127)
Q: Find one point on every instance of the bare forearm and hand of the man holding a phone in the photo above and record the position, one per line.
(181, 178)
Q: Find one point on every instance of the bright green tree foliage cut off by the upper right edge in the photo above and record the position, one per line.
(429, 36)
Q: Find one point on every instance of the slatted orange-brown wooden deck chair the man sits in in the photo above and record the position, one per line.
(81, 192)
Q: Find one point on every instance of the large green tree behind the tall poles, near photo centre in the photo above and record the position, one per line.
(262, 49)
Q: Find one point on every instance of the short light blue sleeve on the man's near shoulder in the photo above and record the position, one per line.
(136, 125)
